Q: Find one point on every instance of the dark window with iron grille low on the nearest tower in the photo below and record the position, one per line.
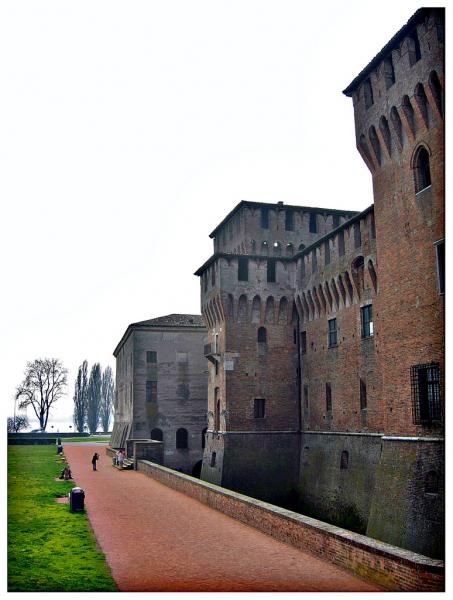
(425, 383)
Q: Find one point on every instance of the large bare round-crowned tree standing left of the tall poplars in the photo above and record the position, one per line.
(44, 383)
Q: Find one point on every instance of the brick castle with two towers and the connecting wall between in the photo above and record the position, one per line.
(325, 339)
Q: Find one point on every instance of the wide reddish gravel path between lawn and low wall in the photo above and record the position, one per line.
(157, 539)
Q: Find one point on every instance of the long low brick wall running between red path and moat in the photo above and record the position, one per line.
(389, 566)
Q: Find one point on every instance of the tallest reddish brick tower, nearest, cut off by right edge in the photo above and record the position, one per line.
(399, 120)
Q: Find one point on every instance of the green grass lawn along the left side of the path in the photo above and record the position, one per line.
(49, 548)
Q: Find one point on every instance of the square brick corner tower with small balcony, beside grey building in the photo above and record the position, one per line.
(247, 300)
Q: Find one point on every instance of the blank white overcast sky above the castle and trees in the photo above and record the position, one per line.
(129, 130)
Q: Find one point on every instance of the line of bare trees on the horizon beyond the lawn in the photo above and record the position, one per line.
(45, 382)
